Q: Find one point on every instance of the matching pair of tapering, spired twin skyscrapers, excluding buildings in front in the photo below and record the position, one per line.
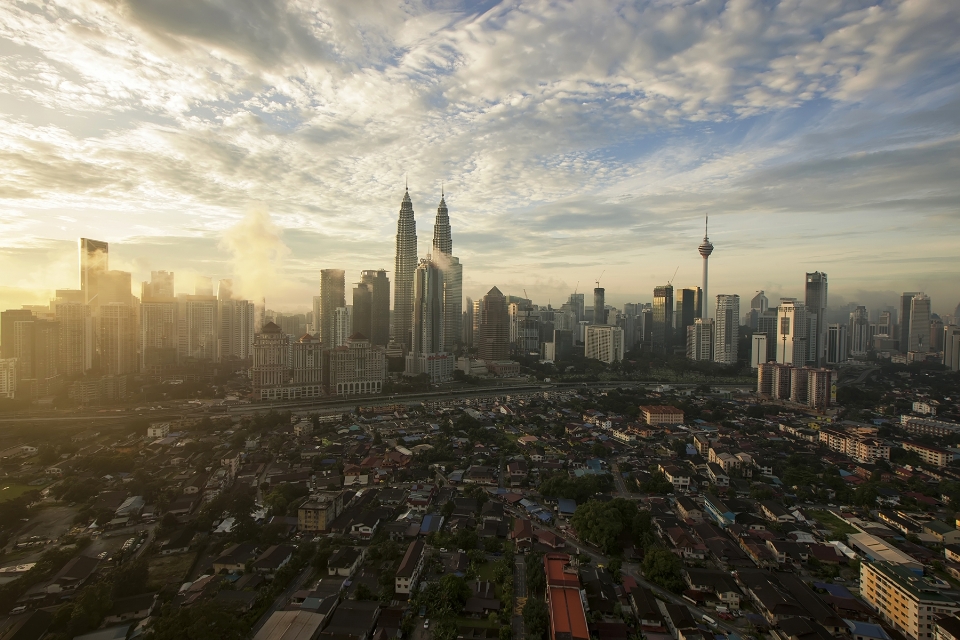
(406, 262)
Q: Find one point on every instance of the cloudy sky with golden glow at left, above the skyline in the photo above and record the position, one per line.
(265, 140)
